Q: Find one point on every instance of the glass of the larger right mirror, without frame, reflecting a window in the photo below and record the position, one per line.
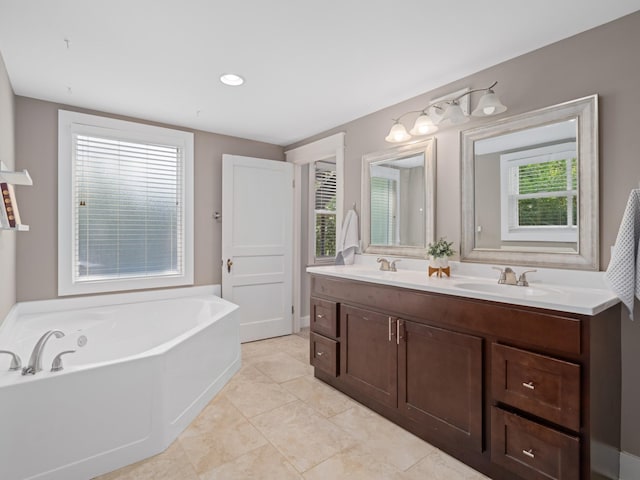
(531, 178)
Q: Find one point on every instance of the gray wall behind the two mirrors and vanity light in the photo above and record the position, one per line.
(603, 60)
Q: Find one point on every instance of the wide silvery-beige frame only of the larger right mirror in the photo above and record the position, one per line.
(586, 256)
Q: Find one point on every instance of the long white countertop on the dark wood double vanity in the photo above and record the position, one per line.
(561, 290)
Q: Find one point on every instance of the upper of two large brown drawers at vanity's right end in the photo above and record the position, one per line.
(544, 386)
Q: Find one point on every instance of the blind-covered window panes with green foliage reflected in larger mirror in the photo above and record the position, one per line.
(545, 192)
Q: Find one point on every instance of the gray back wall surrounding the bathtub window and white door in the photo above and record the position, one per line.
(37, 151)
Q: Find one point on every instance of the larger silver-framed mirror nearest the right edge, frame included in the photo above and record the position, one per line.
(529, 188)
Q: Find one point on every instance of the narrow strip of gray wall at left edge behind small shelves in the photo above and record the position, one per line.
(7, 155)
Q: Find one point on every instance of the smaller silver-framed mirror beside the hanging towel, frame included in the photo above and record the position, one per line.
(398, 200)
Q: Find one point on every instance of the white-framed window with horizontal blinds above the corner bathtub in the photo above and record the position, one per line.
(130, 206)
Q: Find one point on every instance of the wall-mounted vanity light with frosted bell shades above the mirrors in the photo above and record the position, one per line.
(448, 112)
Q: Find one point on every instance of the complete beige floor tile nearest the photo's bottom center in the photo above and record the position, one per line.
(303, 436)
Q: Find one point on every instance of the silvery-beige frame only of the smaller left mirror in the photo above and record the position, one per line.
(426, 147)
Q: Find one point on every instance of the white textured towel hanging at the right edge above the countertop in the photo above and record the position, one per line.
(623, 272)
